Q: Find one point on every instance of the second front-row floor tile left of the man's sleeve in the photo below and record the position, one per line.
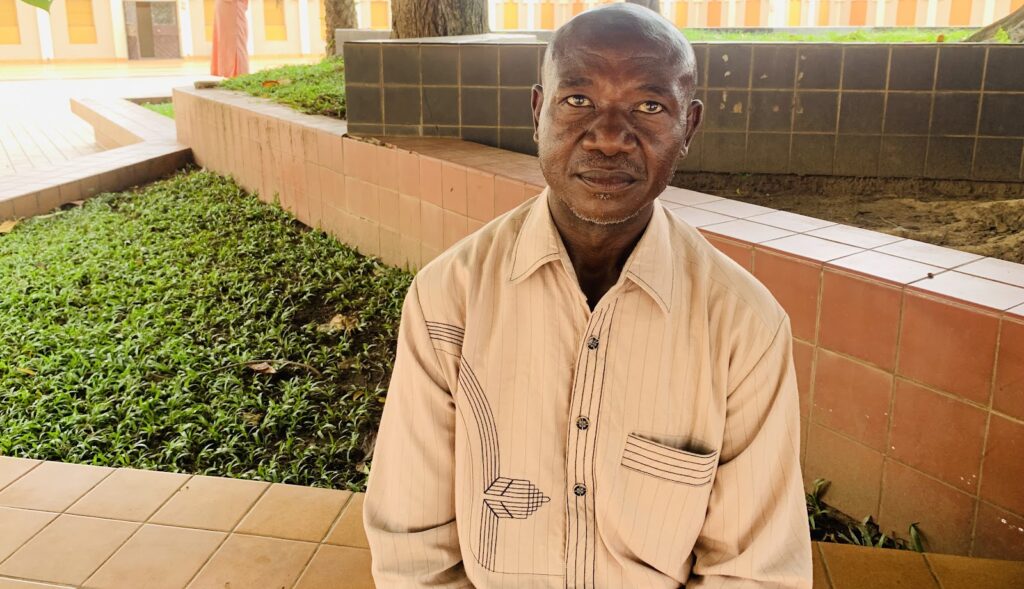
(254, 562)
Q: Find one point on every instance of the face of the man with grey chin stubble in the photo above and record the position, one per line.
(611, 122)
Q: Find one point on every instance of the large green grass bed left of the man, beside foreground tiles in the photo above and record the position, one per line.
(126, 325)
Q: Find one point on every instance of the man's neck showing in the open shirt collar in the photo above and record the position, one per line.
(599, 253)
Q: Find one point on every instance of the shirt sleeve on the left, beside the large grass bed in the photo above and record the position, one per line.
(409, 511)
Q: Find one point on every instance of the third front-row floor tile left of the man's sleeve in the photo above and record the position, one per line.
(158, 558)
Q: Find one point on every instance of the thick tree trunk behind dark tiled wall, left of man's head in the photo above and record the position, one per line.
(412, 19)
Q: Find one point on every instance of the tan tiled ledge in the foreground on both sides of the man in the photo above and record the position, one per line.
(75, 526)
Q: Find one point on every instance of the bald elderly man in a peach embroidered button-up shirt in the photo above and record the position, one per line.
(587, 394)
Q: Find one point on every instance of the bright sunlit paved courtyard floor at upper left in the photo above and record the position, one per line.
(37, 128)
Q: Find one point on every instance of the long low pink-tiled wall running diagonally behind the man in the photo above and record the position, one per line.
(910, 357)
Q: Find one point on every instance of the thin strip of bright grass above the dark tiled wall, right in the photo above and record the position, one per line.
(864, 36)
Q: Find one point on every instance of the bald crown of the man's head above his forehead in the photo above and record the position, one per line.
(623, 26)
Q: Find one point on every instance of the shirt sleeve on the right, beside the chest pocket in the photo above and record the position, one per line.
(756, 533)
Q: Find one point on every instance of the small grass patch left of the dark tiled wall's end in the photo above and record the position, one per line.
(317, 89)
